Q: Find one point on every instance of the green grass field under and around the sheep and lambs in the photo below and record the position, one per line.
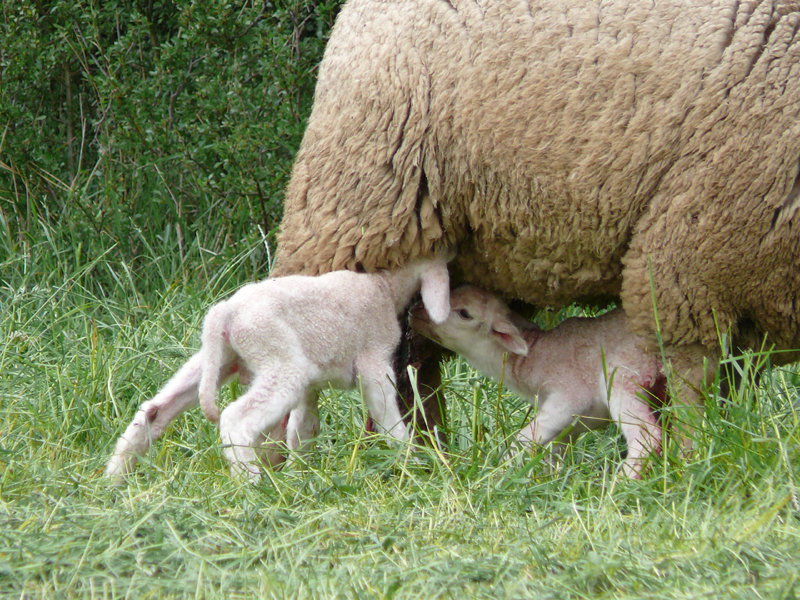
(83, 342)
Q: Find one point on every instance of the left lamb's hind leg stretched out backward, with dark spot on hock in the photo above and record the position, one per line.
(178, 395)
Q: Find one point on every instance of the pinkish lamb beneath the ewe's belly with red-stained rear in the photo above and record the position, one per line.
(561, 368)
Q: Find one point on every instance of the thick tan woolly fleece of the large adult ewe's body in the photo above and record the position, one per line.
(569, 148)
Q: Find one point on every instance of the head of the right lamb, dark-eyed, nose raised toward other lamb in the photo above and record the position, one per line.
(479, 325)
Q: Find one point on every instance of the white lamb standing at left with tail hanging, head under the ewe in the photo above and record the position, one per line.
(288, 337)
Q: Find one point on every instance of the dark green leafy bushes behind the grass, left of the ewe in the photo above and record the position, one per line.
(151, 123)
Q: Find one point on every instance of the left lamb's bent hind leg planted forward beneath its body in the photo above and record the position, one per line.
(244, 424)
